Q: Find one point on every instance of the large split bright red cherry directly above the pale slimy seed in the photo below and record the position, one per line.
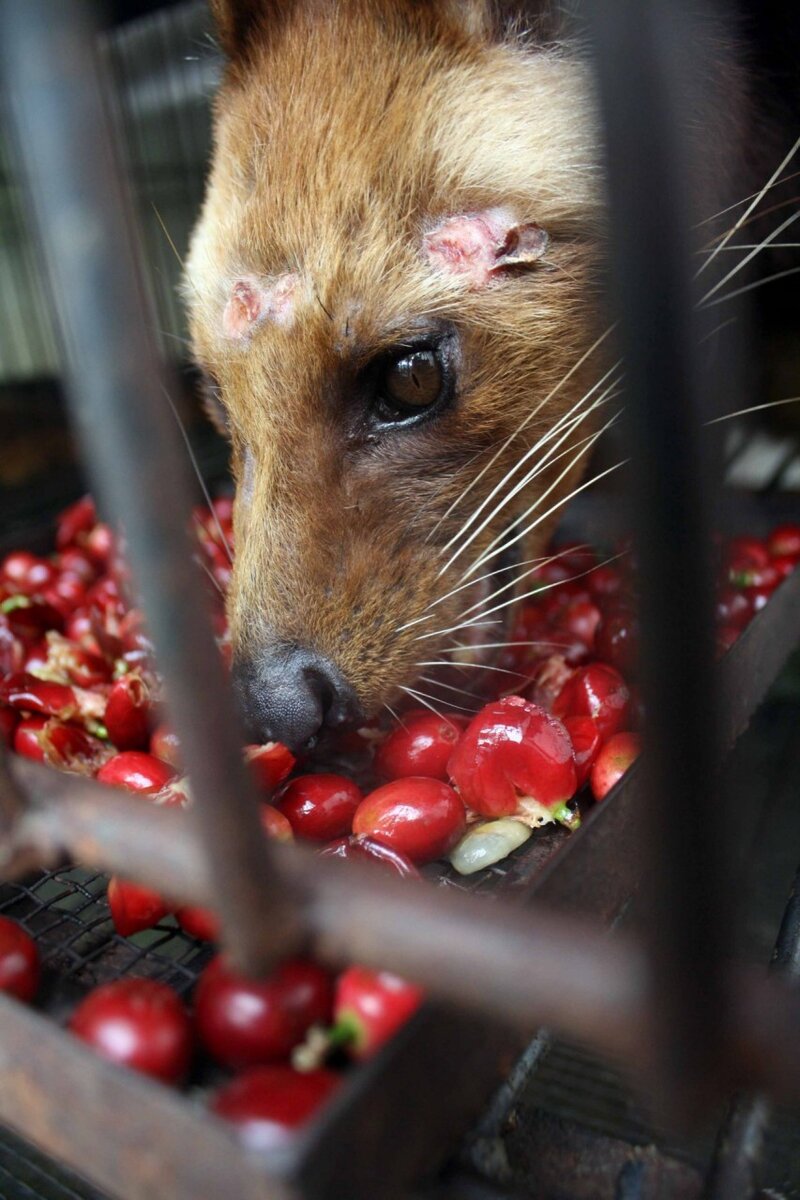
(514, 748)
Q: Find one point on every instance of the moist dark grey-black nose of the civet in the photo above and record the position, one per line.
(292, 694)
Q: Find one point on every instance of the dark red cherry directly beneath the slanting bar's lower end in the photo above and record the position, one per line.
(244, 1023)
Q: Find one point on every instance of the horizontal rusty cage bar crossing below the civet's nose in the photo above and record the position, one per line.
(536, 965)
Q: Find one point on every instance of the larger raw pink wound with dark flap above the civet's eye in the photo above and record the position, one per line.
(477, 248)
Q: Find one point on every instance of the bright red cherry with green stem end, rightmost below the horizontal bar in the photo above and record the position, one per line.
(370, 1009)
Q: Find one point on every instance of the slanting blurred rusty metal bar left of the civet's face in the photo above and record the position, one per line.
(116, 391)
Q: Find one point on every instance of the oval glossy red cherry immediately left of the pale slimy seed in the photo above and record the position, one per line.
(420, 818)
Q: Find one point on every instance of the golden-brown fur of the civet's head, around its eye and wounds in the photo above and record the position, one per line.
(342, 134)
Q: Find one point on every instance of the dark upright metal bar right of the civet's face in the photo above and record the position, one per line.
(643, 62)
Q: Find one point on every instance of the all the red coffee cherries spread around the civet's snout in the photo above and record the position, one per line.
(80, 692)
